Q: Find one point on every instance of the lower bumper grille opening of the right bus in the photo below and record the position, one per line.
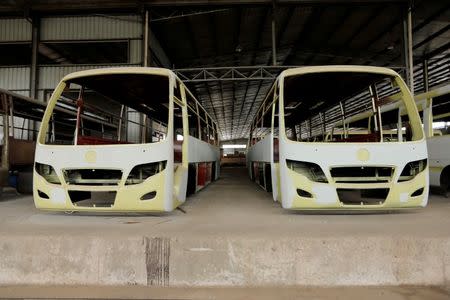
(362, 196)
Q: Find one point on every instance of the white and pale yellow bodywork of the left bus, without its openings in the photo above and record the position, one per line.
(170, 184)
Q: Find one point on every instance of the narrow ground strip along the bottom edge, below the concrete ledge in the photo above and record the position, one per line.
(227, 293)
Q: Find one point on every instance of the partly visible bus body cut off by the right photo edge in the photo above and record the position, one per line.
(435, 108)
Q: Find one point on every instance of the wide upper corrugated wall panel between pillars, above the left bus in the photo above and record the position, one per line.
(91, 28)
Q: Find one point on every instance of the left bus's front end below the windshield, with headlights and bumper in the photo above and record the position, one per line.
(103, 178)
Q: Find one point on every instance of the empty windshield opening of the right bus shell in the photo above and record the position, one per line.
(346, 107)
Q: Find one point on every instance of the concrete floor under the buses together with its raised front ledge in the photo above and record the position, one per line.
(232, 235)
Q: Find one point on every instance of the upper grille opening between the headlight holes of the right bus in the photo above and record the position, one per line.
(362, 174)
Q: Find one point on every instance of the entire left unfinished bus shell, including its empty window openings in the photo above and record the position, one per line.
(139, 142)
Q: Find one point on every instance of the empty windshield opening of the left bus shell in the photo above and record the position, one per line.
(111, 109)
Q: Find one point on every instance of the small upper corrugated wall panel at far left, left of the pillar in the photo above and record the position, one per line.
(15, 30)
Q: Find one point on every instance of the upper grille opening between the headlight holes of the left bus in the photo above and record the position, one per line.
(92, 176)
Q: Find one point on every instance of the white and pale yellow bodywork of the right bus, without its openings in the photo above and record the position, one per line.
(285, 182)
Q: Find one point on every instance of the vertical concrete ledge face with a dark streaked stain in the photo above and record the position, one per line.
(204, 262)
